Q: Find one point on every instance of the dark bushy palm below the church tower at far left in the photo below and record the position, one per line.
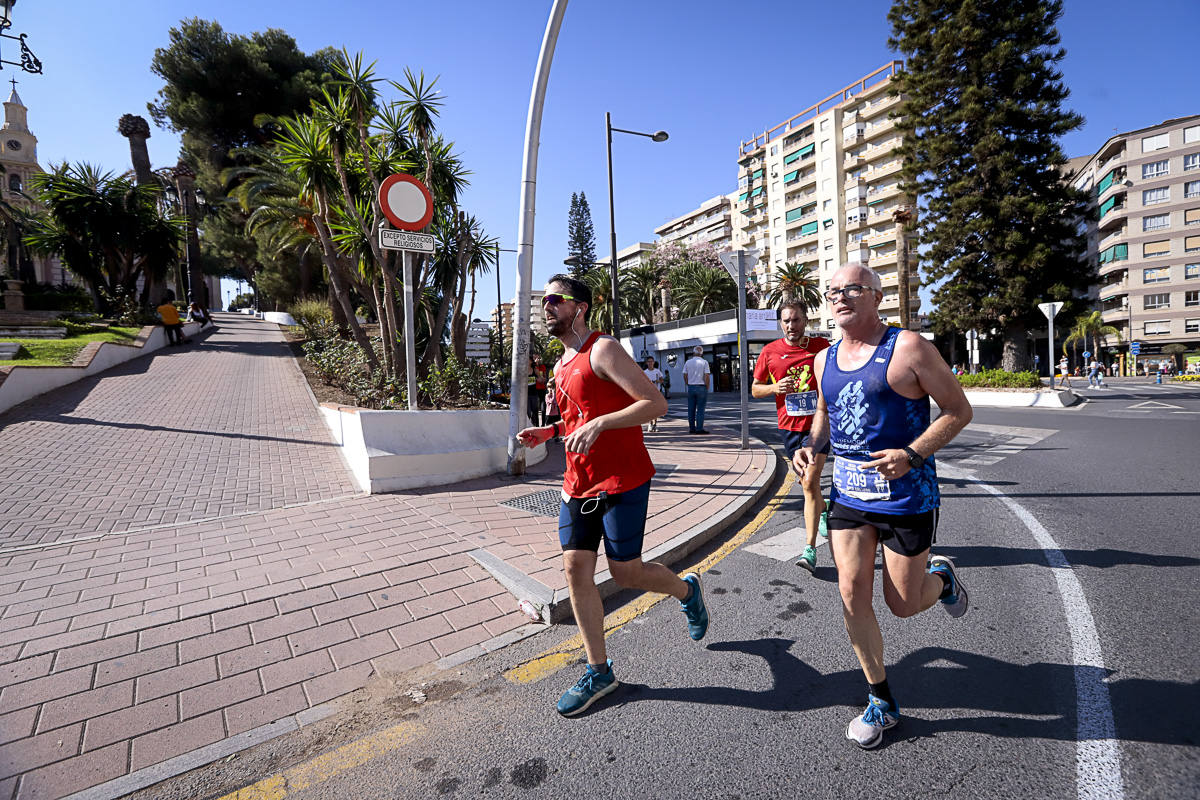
(107, 231)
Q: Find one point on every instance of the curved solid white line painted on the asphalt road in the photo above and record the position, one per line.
(1097, 749)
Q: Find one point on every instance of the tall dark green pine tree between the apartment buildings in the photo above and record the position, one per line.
(982, 117)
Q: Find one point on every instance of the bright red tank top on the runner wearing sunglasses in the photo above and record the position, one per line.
(619, 461)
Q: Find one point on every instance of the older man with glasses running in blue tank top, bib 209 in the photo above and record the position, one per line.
(875, 386)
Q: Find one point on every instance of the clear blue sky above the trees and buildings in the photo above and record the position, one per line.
(711, 74)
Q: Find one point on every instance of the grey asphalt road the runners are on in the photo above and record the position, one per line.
(1073, 676)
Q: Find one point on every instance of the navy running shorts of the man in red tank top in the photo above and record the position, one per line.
(620, 520)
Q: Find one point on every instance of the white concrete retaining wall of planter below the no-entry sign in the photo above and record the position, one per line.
(389, 452)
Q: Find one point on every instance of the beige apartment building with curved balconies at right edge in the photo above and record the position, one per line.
(1144, 233)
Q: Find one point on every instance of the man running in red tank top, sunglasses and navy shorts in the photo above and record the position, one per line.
(605, 399)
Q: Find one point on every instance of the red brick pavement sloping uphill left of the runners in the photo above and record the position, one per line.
(122, 652)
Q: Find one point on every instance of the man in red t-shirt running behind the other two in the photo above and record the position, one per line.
(785, 371)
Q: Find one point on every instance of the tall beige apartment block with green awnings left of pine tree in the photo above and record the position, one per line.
(821, 188)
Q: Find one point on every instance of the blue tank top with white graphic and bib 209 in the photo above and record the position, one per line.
(867, 416)
